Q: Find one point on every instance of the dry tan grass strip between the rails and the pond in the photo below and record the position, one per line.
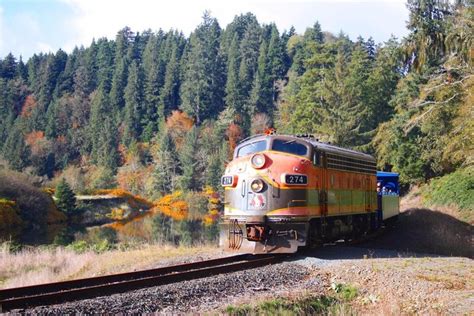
(35, 266)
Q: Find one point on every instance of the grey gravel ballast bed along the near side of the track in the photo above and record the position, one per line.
(189, 296)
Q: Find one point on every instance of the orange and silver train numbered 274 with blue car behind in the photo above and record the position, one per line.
(286, 192)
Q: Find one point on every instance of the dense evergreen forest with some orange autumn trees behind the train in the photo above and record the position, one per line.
(156, 112)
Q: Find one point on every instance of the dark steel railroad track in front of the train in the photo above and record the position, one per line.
(60, 292)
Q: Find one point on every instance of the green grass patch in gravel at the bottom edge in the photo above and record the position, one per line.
(335, 303)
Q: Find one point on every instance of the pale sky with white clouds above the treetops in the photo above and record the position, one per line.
(34, 26)
